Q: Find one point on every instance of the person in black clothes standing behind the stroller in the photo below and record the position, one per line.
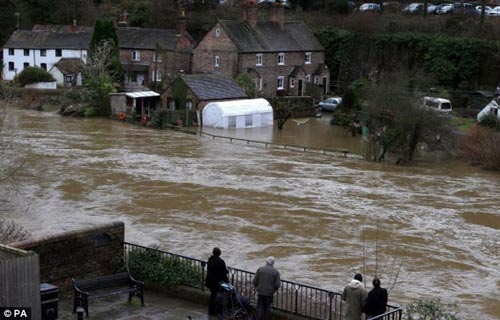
(216, 272)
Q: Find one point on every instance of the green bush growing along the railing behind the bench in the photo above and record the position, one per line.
(166, 270)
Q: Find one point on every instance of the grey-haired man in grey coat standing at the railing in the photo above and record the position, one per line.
(267, 282)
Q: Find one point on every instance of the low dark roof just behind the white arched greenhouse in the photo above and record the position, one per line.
(213, 87)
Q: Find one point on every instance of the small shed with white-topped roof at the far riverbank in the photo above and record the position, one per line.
(134, 106)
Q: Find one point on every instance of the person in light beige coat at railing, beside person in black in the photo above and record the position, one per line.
(353, 296)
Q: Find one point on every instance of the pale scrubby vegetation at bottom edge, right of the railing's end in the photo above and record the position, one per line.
(430, 309)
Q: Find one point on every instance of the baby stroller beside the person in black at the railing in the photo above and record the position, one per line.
(230, 304)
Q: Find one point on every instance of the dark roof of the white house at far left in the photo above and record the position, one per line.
(51, 36)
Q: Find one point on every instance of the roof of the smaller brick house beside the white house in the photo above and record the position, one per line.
(141, 38)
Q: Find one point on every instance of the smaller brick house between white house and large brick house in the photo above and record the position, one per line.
(153, 55)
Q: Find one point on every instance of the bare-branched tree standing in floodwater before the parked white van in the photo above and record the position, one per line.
(398, 122)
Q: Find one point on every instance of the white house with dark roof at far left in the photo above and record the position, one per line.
(43, 47)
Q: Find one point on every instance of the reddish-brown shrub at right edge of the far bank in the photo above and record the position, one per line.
(481, 147)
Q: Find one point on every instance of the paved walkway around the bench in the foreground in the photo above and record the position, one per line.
(157, 306)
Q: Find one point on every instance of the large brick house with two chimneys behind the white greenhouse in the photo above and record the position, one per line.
(283, 57)
